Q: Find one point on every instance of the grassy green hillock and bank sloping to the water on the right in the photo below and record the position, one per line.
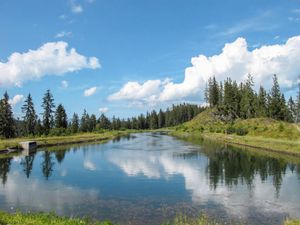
(261, 133)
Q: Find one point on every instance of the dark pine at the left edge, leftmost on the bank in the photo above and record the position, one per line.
(7, 123)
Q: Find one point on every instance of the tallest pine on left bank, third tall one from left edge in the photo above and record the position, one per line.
(48, 106)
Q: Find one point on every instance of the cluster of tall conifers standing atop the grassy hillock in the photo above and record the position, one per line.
(235, 100)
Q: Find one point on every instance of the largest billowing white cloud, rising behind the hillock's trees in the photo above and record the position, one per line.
(235, 61)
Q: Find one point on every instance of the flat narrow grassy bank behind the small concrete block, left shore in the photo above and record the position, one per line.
(61, 140)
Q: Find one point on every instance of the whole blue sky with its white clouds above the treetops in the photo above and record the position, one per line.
(127, 57)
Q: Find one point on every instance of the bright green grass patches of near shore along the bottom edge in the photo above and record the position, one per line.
(46, 218)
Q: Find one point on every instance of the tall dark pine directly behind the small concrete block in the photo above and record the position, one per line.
(30, 116)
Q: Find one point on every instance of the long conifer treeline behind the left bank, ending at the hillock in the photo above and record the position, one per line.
(54, 120)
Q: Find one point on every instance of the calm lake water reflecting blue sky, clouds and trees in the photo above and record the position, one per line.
(149, 178)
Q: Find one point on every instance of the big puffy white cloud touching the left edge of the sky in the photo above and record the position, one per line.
(52, 58)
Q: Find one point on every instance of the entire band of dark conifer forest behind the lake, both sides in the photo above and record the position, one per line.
(232, 100)
